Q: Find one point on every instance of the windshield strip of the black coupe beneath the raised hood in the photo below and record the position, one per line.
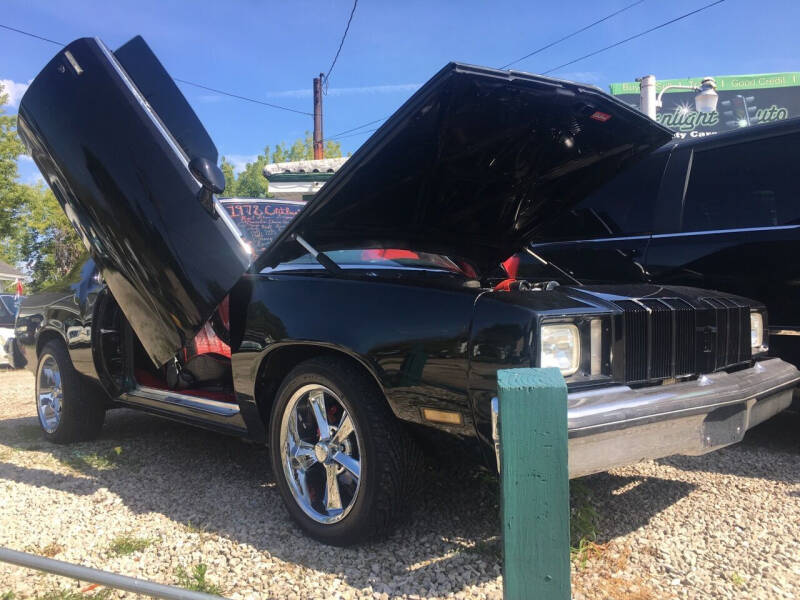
(384, 258)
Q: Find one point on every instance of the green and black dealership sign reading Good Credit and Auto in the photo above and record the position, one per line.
(743, 100)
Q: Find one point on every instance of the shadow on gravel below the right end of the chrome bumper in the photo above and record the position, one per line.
(770, 451)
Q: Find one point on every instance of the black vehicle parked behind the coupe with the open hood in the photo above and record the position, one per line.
(720, 212)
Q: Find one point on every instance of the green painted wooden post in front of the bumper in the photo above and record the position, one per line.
(534, 482)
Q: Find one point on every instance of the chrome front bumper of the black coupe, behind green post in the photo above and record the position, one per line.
(616, 426)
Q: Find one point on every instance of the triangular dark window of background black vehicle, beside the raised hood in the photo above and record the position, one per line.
(623, 206)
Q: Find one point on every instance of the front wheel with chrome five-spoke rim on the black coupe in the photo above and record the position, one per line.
(388, 460)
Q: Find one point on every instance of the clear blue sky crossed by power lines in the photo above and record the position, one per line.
(272, 50)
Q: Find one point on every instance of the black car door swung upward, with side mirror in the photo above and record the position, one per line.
(135, 172)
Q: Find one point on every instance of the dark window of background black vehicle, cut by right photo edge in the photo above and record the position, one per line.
(752, 184)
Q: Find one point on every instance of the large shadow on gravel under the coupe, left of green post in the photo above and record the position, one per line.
(214, 484)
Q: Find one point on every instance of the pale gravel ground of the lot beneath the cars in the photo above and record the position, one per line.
(726, 525)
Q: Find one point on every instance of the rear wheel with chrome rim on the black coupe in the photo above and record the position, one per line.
(68, 409)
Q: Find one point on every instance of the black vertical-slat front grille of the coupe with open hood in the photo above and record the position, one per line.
(668, 337)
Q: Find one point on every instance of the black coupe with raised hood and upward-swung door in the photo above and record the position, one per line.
(380, 313)
